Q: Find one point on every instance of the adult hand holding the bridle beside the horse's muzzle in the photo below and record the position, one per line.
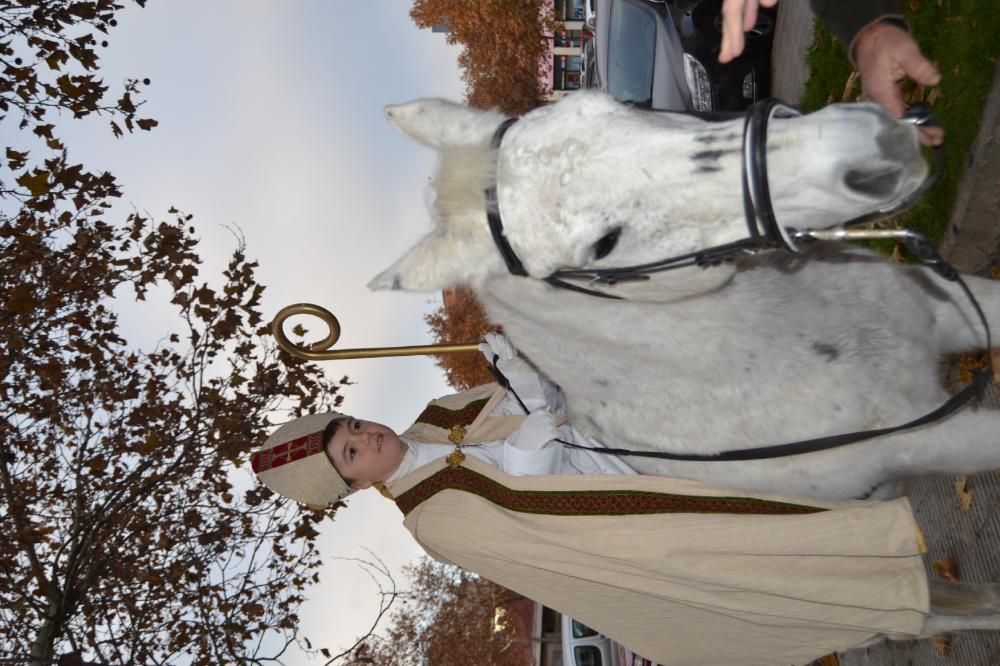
(885, 55)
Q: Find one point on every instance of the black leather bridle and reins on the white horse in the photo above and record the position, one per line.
(764, 232)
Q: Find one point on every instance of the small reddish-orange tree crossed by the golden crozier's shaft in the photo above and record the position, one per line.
(461, 318)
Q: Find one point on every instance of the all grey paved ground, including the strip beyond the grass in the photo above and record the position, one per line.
(970, 538)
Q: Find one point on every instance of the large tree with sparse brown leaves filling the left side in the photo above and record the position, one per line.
(130, 529)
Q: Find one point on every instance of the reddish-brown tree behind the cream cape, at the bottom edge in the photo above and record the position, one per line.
(449, 617)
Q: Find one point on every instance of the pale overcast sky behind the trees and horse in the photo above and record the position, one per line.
(271, 121)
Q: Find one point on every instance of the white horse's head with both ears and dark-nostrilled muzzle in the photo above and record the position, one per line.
(588, 182)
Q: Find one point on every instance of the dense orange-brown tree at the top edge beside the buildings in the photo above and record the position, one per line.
(505, 47)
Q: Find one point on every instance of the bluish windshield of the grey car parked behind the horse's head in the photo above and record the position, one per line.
(631, 52)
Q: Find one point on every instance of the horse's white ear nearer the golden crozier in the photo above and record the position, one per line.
(438, 261)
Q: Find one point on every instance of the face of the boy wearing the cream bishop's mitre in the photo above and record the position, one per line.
(365, 452)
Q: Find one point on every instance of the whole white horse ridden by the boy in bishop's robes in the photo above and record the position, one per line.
(773, 349)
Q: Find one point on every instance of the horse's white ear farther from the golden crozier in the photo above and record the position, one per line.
(439, 123)
